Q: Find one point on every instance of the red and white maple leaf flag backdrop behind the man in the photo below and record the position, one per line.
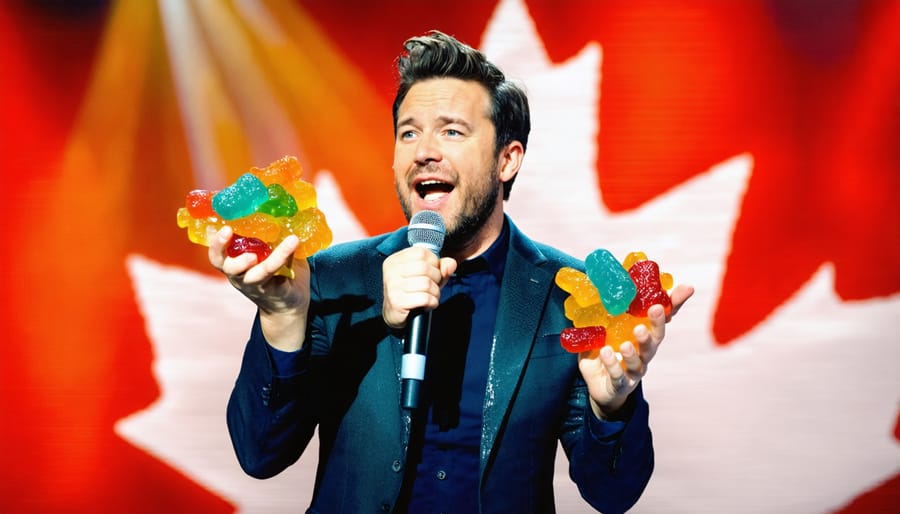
(751, 147)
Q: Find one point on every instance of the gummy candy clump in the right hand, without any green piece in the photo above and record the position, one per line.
(611, 299)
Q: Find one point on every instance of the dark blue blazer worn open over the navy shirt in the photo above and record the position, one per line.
(349, 388)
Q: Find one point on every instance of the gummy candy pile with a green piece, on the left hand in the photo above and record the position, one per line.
(263, 207)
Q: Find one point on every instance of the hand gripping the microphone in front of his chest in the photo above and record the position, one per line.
(413, 278)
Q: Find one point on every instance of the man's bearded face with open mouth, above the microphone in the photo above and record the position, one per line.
(444, 158)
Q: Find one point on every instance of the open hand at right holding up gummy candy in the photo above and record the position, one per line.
(609, 381)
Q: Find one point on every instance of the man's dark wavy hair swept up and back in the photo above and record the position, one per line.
(437, 55)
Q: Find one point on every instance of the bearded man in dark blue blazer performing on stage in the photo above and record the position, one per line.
(326, 347)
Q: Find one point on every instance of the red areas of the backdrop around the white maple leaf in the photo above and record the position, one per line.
(810, 88)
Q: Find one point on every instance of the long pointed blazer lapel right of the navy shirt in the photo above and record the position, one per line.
(523, 295)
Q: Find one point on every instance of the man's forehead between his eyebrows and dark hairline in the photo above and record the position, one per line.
(445, 97)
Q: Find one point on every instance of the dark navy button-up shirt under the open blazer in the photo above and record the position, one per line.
(444, 454)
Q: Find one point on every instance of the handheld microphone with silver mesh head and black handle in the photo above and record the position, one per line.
(426, 229)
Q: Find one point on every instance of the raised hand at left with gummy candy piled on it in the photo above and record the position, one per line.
(282, 301)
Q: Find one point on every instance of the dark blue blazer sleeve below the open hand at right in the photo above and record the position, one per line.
(610, 467)
